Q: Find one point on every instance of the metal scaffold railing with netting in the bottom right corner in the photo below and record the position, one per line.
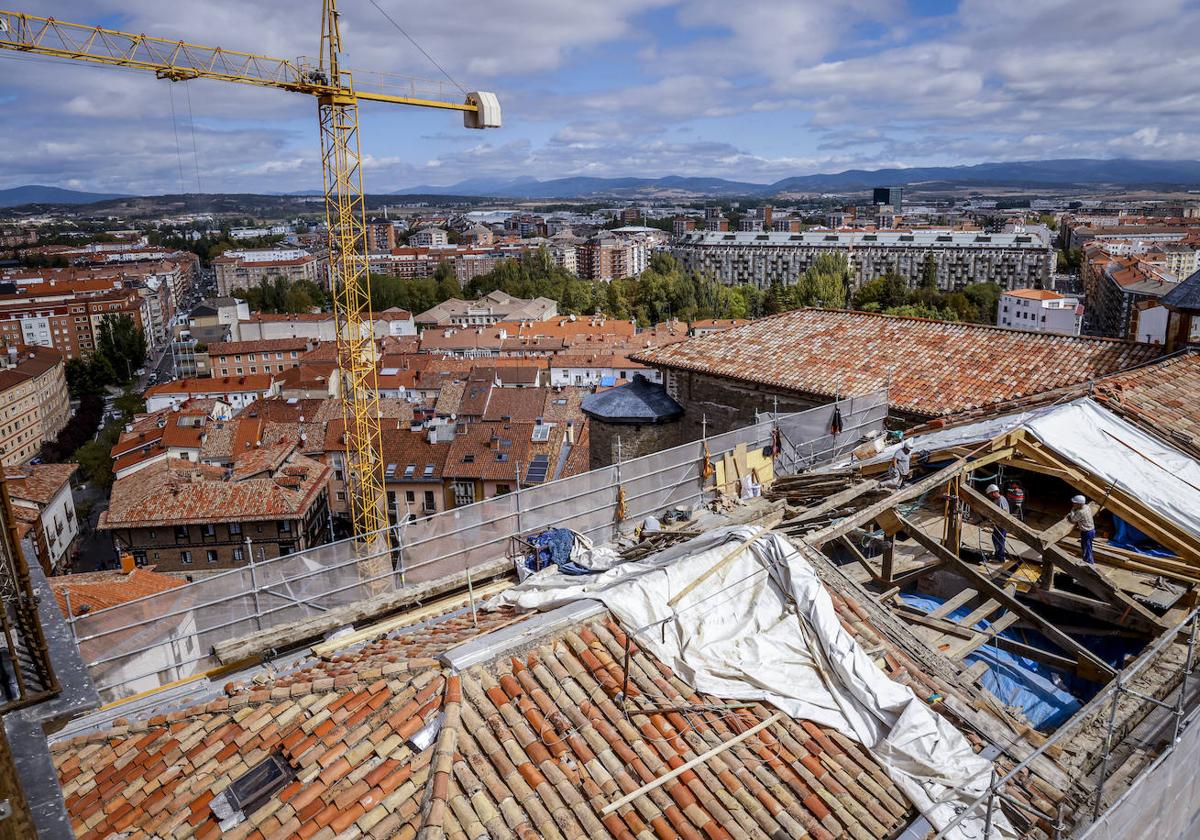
(1101, 713)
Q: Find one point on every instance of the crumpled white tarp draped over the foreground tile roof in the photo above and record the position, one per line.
(737, 637)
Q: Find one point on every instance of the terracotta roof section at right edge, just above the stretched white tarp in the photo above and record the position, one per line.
(1162, 398)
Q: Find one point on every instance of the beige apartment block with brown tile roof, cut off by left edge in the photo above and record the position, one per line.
(34, 401)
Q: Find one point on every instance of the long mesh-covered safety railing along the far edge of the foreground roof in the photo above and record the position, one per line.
(169, 637)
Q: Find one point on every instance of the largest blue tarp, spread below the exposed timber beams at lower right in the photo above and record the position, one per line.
(1013, 680)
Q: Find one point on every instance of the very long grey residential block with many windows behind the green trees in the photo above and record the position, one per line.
(1012, 261)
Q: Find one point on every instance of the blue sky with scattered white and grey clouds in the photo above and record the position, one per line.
(752, 91)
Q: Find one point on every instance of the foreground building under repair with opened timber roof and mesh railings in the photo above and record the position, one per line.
(422, 713)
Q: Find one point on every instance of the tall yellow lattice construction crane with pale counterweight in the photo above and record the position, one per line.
(338, 98)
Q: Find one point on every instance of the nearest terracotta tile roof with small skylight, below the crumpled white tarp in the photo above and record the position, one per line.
(530, 747)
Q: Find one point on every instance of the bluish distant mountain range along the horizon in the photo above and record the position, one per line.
(1058, 175)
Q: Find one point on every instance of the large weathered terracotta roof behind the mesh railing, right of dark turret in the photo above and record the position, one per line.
(932, 368)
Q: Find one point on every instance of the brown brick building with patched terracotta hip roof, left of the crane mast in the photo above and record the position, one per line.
(183, 517)
